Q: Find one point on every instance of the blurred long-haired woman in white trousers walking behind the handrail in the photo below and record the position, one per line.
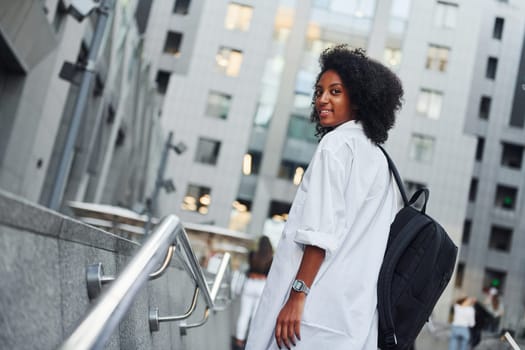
(260, 262)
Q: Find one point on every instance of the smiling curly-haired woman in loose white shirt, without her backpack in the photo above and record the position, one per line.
(321, 292)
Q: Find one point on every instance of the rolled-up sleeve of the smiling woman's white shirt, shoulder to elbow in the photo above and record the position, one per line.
(322, 221)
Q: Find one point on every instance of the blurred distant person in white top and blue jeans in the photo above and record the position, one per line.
(463, 320)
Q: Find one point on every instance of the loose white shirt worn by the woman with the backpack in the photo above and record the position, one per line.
(345, 205)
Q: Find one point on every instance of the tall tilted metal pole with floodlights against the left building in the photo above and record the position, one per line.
(80, 106)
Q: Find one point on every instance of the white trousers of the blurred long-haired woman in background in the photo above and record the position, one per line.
(250, 297)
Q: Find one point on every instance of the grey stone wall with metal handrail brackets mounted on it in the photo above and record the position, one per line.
(43, 293)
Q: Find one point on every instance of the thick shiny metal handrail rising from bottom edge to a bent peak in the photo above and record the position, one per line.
(97, 326)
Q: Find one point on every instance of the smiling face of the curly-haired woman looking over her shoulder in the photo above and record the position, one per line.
(332, 101)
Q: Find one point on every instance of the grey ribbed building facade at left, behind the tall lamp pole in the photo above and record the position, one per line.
(39, 97)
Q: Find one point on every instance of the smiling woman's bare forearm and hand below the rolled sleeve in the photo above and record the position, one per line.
(287, 328)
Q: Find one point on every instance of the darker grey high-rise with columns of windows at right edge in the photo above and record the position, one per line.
(493, 243)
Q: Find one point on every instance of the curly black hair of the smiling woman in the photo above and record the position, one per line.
(375, 91)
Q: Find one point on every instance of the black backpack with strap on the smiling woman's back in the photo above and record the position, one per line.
(417, 266)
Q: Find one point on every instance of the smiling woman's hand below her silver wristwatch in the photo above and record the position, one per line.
(287, 328)
